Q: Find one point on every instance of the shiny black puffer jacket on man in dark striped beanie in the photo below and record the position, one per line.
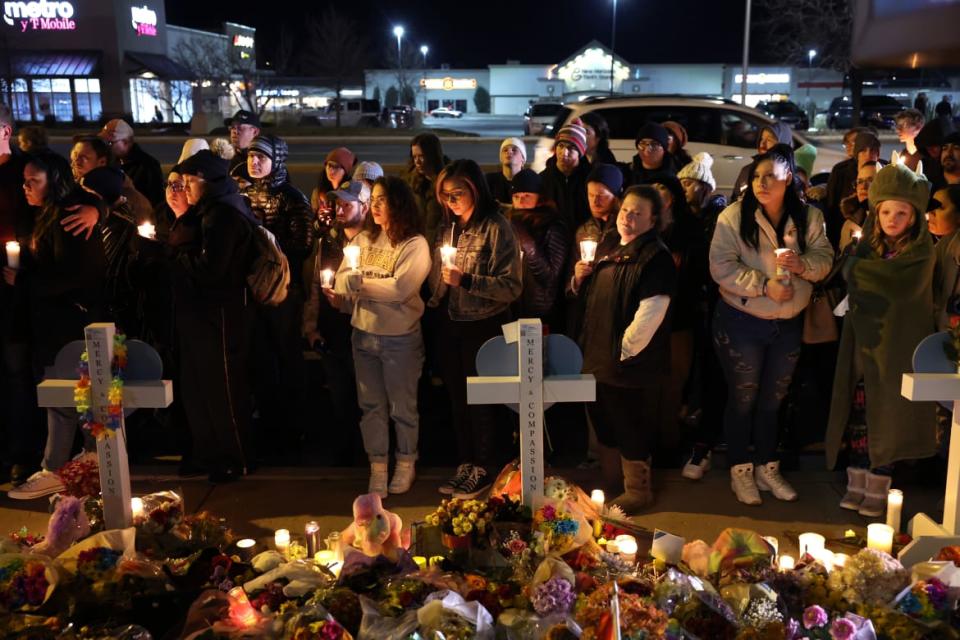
(285, 211)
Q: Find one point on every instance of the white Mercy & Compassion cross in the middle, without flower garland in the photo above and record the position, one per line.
(530, 390)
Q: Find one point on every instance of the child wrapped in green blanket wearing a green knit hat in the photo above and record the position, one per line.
(889, 284)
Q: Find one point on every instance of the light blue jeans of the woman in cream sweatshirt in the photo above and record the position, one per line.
(388, 372)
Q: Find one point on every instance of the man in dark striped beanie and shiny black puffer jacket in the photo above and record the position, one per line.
(278, 371)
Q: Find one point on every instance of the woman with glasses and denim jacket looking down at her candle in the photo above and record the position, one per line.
(473, 298)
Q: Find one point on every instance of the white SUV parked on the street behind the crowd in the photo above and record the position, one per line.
(722, 128)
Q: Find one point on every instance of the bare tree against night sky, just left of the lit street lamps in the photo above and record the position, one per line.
(336, 50)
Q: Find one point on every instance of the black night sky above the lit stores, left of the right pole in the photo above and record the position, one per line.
(467, 33)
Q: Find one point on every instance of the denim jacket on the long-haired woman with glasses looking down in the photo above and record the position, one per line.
(489, 257)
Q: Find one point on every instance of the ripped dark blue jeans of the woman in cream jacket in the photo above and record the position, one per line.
(758, 358)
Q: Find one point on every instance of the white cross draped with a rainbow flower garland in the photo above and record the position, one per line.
(111, 451)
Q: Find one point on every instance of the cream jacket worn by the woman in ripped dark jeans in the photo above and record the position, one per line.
(741, 270)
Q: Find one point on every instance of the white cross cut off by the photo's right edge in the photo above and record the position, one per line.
(929, 536)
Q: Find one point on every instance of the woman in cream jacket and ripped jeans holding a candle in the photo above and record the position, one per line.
(757, 325)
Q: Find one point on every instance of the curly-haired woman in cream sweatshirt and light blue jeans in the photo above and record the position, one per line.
(384, 293)
